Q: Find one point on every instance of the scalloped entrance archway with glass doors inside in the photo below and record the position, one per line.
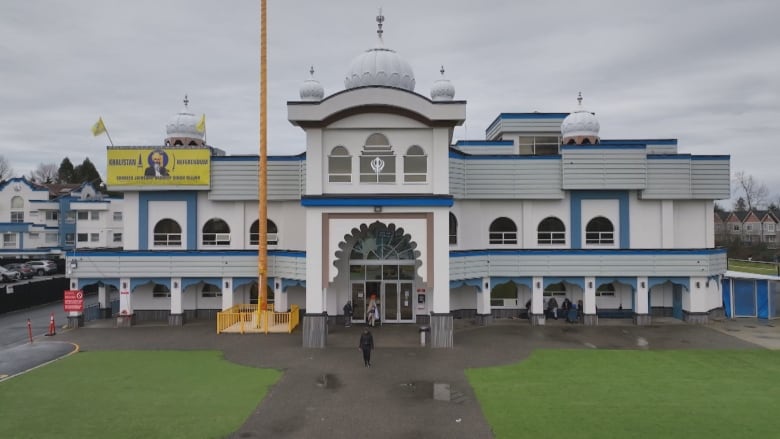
(383, 266)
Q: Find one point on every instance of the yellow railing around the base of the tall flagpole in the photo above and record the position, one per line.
(250, 318)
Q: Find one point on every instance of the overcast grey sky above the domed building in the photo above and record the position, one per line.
(706, 72)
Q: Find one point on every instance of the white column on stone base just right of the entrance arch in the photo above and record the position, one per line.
(441, 261)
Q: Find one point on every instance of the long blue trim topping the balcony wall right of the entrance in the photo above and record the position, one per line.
(594, 252)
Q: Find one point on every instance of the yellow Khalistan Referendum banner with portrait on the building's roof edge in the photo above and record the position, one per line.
(168, 166)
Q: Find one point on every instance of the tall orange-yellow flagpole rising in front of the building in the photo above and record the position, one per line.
(262, 210)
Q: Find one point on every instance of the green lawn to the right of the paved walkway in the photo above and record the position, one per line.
(633, 394)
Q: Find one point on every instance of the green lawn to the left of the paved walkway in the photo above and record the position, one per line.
(133, 394)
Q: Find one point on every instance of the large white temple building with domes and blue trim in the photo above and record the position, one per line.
(385, 203)
